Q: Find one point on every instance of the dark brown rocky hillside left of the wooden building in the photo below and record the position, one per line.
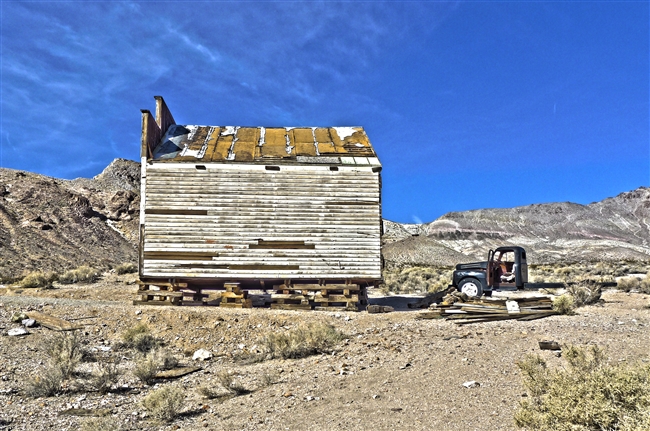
(53, 225)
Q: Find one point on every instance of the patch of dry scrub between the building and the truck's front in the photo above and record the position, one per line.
(416, 279)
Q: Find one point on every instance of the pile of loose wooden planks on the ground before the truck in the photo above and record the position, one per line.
(463, 312)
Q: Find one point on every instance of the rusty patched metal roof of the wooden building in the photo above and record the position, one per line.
(330, 145)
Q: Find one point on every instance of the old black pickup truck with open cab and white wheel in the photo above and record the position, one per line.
(505, 269)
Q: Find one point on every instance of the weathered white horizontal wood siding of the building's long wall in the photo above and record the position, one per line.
(247, 221)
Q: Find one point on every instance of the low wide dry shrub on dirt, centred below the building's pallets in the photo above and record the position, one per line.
(302, 341)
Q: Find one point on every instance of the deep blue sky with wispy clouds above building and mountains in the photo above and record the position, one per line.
(468, 104)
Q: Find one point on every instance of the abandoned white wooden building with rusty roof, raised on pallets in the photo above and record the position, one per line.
(225, 209)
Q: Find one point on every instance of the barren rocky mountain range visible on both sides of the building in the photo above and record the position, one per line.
(51, 225)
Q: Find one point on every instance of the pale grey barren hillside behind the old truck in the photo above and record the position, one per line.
(614, 229)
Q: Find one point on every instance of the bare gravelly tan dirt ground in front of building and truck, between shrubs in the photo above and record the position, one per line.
(393, 372)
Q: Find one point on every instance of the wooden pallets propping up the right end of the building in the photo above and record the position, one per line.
(331, 297)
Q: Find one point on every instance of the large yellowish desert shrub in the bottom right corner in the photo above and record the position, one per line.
(588, 394)
